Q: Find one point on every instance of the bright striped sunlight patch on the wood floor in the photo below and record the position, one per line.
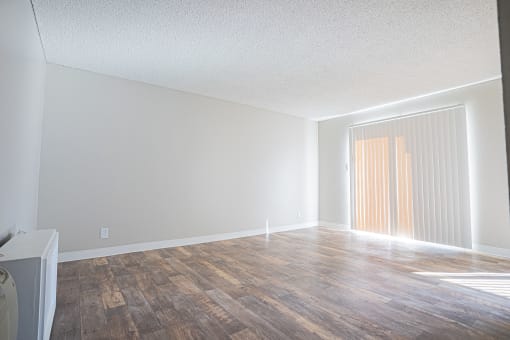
(494, 283)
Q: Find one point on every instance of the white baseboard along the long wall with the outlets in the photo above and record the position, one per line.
(130, 248)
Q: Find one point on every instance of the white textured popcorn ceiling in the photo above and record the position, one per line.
(307, 58)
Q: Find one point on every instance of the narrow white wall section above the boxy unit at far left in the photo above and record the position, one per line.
(22, 68)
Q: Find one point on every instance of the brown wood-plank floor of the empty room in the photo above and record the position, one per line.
(305, 284)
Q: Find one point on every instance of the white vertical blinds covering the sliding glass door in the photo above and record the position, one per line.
(410, 177)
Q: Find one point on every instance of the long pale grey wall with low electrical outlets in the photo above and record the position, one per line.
(155, 164)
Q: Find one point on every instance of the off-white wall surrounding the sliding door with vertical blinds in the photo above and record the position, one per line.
(487, 159)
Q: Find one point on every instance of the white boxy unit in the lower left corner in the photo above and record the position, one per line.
(31, 259)
